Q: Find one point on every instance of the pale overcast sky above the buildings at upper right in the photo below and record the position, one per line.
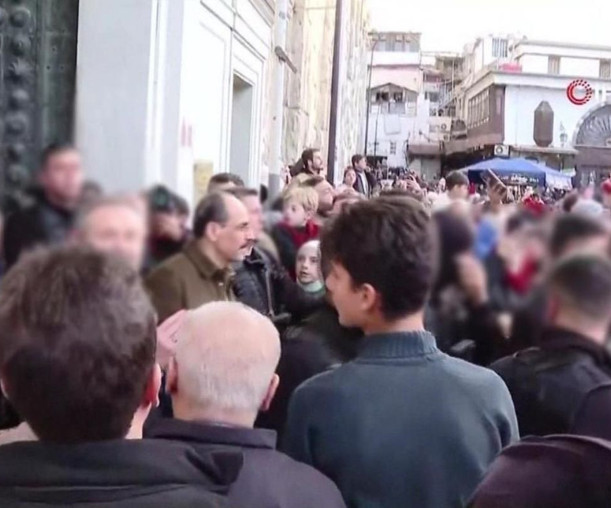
(449, 24)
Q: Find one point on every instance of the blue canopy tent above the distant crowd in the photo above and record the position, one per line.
(522, 170)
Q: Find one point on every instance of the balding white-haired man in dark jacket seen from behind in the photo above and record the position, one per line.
(221, 375)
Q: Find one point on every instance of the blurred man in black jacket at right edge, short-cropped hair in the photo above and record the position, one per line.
(563, 386)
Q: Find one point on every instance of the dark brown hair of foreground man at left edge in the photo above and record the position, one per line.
(77, 344)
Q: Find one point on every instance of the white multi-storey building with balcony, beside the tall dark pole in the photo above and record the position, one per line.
(406, 124)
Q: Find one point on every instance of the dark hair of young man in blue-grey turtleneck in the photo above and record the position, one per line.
(387, 243)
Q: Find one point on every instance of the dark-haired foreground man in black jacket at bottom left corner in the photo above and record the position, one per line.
(77, 360)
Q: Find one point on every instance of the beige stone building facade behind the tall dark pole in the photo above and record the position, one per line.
(308, 91)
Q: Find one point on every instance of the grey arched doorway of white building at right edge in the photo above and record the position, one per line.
(593, 142)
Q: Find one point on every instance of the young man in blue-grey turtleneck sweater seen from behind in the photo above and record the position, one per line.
(403, 424)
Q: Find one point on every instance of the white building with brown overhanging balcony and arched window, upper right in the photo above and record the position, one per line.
(518, 105)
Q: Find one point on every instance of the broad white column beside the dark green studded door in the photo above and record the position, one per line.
(124, 111)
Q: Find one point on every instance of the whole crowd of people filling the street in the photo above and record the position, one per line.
(349, 346)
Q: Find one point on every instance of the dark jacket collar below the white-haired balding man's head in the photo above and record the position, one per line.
(216, 434)
